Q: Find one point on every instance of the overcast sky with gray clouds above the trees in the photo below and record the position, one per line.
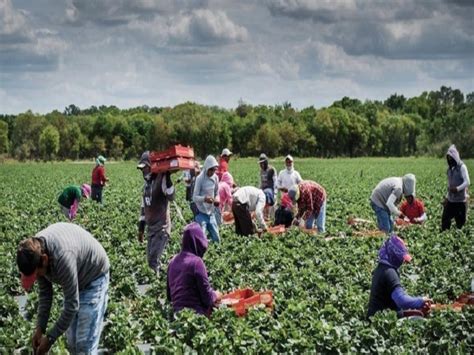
(160, 53)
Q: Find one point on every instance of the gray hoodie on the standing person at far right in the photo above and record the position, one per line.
(458, 177)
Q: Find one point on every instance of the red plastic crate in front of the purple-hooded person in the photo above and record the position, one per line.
(242, 300)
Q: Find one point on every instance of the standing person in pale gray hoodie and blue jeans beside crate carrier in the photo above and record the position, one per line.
(206, 198)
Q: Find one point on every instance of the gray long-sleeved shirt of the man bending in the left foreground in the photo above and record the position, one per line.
(76, 258)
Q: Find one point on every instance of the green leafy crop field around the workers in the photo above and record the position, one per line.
(321, 287)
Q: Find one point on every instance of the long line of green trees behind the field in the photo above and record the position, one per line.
(398, 126)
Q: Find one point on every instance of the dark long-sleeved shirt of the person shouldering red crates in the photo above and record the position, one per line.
(154, 210)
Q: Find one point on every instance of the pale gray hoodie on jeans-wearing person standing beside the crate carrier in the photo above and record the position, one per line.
(206, 186)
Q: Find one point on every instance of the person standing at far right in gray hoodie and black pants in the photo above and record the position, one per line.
(457, 199)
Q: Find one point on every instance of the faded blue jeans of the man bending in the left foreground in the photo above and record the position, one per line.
(84, 332)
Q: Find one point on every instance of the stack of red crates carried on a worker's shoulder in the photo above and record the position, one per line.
(175, 158)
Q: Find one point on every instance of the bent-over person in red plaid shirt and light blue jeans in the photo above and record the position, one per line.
(311, 201)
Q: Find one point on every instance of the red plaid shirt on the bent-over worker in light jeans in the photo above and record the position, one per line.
(312, 197)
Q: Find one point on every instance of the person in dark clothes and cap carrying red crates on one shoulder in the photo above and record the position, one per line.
(158, 190)
